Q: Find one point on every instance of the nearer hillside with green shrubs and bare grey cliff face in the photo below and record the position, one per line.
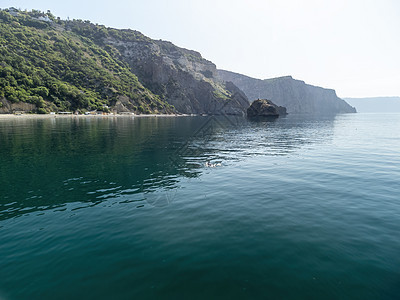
(75, 65)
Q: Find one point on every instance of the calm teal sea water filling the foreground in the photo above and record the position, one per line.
(123, 208)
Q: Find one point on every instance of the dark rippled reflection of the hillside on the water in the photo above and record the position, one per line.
(47, 163)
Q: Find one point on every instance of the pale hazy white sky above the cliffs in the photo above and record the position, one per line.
(352, 46)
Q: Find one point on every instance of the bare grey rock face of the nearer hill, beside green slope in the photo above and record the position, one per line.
(180, 76)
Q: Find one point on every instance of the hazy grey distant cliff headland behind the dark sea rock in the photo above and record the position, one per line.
(295, 95)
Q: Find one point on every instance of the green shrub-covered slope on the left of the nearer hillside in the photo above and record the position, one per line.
(60, 65)
